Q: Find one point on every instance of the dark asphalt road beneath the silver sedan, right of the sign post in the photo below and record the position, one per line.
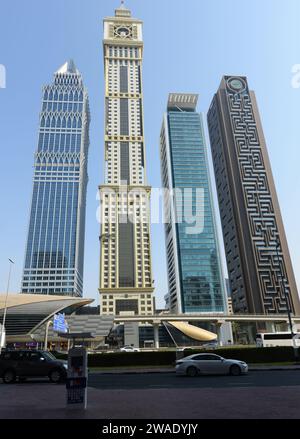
(171, 381)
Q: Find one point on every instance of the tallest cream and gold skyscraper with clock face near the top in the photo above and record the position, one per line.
(125, 262)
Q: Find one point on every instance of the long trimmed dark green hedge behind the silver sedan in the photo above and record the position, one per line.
(167, 358)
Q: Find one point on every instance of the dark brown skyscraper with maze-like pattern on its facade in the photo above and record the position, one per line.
(259, 265)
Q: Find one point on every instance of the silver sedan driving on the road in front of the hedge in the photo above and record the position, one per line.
(213, 364)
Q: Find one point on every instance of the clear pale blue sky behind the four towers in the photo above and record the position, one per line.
(189, 45)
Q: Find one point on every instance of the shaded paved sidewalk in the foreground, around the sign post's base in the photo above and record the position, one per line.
(48, 401)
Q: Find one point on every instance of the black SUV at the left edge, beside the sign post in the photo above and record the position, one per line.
(26, 364)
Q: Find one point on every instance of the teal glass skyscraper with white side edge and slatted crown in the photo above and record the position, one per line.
(194, 268)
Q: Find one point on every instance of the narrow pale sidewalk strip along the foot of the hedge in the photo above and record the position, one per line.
(141, 370)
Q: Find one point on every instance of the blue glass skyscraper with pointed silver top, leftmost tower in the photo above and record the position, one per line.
(55, 244)
